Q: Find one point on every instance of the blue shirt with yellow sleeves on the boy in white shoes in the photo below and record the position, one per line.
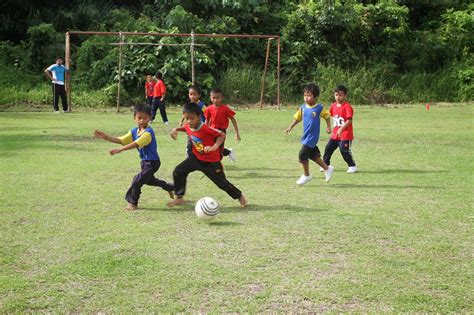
(310, 115)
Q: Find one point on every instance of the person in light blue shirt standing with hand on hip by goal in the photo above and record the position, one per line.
(57, 74)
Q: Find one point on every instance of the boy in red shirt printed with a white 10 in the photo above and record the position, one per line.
(342, 134)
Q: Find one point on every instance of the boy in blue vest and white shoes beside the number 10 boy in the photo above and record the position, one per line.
(310, 114)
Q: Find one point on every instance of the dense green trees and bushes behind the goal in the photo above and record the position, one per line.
(385, 51)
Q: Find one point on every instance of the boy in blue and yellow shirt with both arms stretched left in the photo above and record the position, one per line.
(142, 138)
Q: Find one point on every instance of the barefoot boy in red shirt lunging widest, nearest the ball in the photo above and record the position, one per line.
(206, 157)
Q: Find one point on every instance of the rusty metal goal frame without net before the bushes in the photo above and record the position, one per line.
(192, 35)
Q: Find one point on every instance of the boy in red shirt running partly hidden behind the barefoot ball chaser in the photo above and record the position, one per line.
(218, 115)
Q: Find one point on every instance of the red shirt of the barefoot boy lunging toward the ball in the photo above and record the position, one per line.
(203, 137)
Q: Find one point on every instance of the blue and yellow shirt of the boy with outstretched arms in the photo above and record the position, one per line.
(146, 140)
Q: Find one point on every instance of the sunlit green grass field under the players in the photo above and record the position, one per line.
(395, 237)
